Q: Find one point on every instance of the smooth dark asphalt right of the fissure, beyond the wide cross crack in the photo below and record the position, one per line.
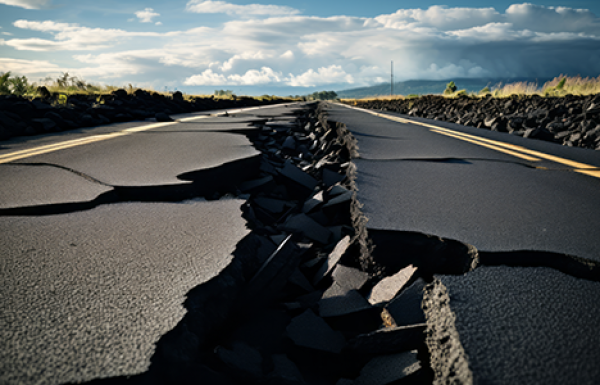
(413, 179)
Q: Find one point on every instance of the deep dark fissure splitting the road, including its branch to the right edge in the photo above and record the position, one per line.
(275, 285)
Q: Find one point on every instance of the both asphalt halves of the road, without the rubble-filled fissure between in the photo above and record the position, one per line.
(103, 235)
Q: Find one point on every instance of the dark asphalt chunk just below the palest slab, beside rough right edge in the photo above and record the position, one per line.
(406, 308)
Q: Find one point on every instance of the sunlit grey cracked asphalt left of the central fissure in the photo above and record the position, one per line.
(88, 289)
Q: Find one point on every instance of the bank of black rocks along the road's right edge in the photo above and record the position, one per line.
(571, 120)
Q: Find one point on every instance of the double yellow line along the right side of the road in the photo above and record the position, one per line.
(581, 168)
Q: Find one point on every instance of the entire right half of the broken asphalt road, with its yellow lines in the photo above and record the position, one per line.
(519, 305)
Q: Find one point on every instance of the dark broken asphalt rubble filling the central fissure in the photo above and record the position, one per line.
(303, 302)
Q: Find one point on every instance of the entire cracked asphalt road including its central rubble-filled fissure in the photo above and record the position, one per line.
(276, 246)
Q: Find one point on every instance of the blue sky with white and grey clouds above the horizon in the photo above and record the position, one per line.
(294, 48)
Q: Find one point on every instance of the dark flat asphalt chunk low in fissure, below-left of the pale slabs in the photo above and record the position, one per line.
(310, 331)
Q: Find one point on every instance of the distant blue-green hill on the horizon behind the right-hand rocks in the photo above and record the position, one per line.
(426, 87)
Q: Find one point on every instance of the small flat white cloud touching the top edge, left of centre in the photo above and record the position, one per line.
(200, 6)
